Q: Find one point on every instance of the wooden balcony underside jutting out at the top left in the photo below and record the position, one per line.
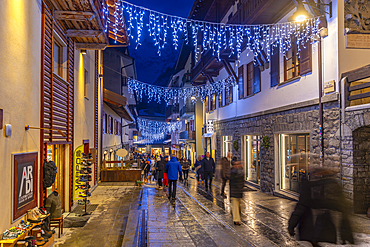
(84, 20)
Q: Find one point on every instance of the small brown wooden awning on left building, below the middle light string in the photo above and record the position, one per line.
(118, 104)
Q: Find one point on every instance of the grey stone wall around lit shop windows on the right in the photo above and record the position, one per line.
(300, 120)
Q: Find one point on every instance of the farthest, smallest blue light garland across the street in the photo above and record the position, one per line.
(152, 130)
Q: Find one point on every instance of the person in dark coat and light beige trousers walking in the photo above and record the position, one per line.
(236, 184)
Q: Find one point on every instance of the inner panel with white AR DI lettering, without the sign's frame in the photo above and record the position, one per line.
(25, 183)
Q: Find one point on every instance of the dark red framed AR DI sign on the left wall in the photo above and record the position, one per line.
(24, 183)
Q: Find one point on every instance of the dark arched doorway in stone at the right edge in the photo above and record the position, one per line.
(361, 169)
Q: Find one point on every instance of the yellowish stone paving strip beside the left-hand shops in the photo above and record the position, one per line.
(107, 223)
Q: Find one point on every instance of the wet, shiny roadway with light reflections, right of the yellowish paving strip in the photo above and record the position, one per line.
(199, 218)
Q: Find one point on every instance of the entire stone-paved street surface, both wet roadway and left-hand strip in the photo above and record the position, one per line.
(197, 219)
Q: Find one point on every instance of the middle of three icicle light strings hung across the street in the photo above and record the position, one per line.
(174, 94)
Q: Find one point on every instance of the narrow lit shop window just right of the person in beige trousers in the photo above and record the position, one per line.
(252, 156)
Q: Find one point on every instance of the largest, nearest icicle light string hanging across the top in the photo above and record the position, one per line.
(213, 36)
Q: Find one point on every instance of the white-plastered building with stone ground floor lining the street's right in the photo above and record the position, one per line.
(271, 118)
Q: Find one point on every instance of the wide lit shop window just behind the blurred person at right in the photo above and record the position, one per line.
(294, 160)
